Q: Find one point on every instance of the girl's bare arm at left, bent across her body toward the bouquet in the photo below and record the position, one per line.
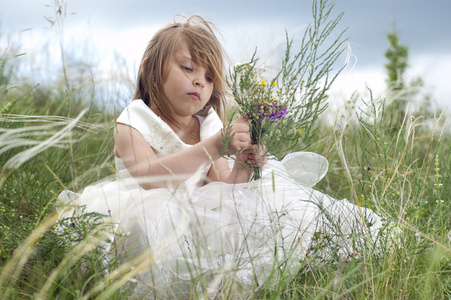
(141, 160)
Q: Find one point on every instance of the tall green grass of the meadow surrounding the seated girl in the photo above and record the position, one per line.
(55, 136)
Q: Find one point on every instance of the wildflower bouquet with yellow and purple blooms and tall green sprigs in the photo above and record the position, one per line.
(282, 111)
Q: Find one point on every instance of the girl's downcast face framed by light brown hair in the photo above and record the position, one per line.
(188, 87)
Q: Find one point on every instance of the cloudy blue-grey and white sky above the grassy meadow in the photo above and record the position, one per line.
(124, 27)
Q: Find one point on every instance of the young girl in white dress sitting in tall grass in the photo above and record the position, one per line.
(182, 214)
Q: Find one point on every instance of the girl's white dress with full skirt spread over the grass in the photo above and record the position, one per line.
(221, 233)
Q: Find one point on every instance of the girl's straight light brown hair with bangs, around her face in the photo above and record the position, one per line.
(205, 50)
